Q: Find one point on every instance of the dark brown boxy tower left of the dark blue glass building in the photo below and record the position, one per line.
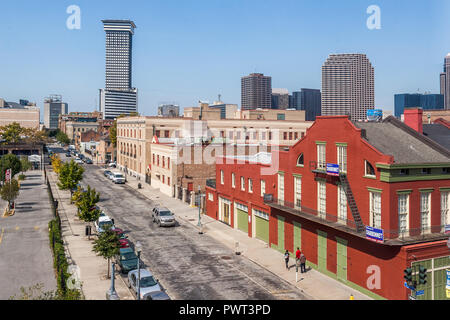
(256, 91)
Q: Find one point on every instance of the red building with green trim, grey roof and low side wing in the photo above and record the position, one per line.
(340, 182)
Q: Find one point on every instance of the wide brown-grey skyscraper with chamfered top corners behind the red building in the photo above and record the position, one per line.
(348, 86)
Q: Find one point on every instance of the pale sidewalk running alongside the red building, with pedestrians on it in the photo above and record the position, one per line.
(313, 283)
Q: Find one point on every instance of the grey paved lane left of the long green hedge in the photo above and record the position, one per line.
(25, 255)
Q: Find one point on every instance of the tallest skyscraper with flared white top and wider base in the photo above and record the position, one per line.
(118, 97)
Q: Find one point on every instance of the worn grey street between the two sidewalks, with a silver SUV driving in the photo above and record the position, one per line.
(188, 265)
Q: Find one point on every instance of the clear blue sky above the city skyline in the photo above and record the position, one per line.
(190, 50)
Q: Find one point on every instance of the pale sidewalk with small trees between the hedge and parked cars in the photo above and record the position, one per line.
(92, 268)
